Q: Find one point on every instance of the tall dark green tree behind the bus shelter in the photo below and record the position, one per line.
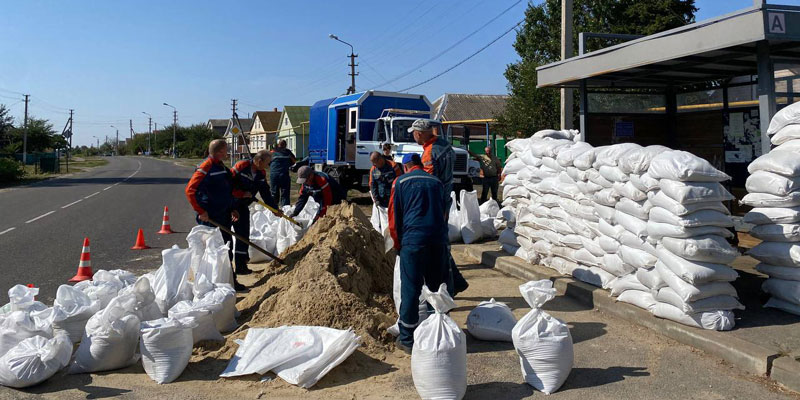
(538, 43)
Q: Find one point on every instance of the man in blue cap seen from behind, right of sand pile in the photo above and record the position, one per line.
(418, 228)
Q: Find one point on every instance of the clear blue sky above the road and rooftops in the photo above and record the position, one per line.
(112, 60)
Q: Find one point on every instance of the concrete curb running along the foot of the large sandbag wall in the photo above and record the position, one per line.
(753, 358)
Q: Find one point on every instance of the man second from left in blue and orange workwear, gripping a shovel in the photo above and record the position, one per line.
(249, 179)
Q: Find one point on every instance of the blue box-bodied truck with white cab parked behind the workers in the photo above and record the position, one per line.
(344, 130)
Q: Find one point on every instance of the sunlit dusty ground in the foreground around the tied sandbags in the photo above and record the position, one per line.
(613, 359)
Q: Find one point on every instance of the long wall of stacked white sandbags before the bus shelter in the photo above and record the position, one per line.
(648, 223)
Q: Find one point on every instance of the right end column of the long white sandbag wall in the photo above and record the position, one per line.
(689, 224)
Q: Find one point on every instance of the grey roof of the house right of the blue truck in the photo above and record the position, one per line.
(465, 107)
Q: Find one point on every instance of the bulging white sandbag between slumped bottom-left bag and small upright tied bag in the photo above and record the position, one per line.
(110, 339)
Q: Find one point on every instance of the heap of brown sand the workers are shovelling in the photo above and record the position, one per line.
(336, 276)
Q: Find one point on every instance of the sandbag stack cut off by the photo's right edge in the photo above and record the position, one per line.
(774, 192)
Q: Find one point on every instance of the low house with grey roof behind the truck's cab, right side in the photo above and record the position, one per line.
(470, 118)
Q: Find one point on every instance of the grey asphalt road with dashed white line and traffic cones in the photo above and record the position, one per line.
(42, 226)
